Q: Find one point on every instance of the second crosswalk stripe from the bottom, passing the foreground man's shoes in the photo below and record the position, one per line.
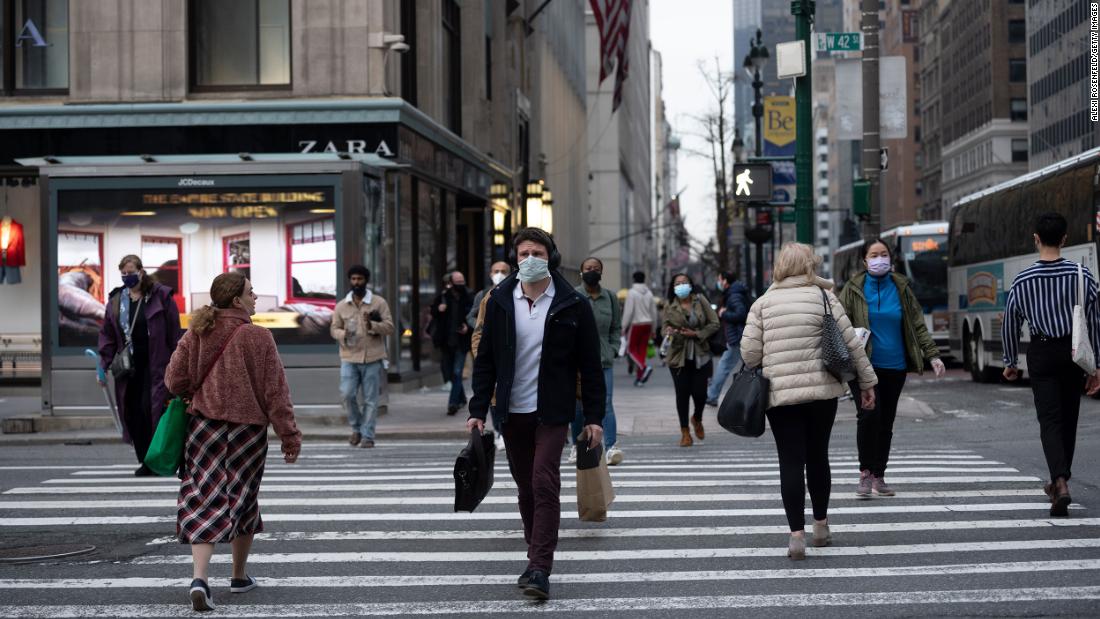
(614, 578)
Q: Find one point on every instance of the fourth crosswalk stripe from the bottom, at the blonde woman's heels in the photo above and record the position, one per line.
(659, 532)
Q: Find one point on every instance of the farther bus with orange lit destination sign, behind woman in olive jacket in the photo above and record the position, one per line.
(920, 253)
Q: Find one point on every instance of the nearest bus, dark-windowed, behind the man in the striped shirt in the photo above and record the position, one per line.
(992, 241)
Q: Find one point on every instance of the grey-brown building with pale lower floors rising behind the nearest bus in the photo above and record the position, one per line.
(984, 70)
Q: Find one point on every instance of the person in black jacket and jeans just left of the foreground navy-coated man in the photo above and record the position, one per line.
(453, 336)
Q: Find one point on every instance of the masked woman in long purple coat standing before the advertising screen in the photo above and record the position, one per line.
(142, 317)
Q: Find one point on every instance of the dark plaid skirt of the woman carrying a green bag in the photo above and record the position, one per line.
(224, 463)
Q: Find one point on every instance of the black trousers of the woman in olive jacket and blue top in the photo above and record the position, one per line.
(875, 428)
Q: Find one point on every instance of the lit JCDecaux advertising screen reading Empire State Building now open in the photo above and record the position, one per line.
(283, 239)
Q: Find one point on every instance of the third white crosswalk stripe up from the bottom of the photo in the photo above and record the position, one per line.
(639, 555)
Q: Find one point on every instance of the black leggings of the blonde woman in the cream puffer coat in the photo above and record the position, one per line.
(802, 434)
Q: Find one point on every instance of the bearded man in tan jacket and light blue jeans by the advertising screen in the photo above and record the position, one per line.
(360, 325)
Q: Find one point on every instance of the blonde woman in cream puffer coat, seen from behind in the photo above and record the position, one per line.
(783, 336)
